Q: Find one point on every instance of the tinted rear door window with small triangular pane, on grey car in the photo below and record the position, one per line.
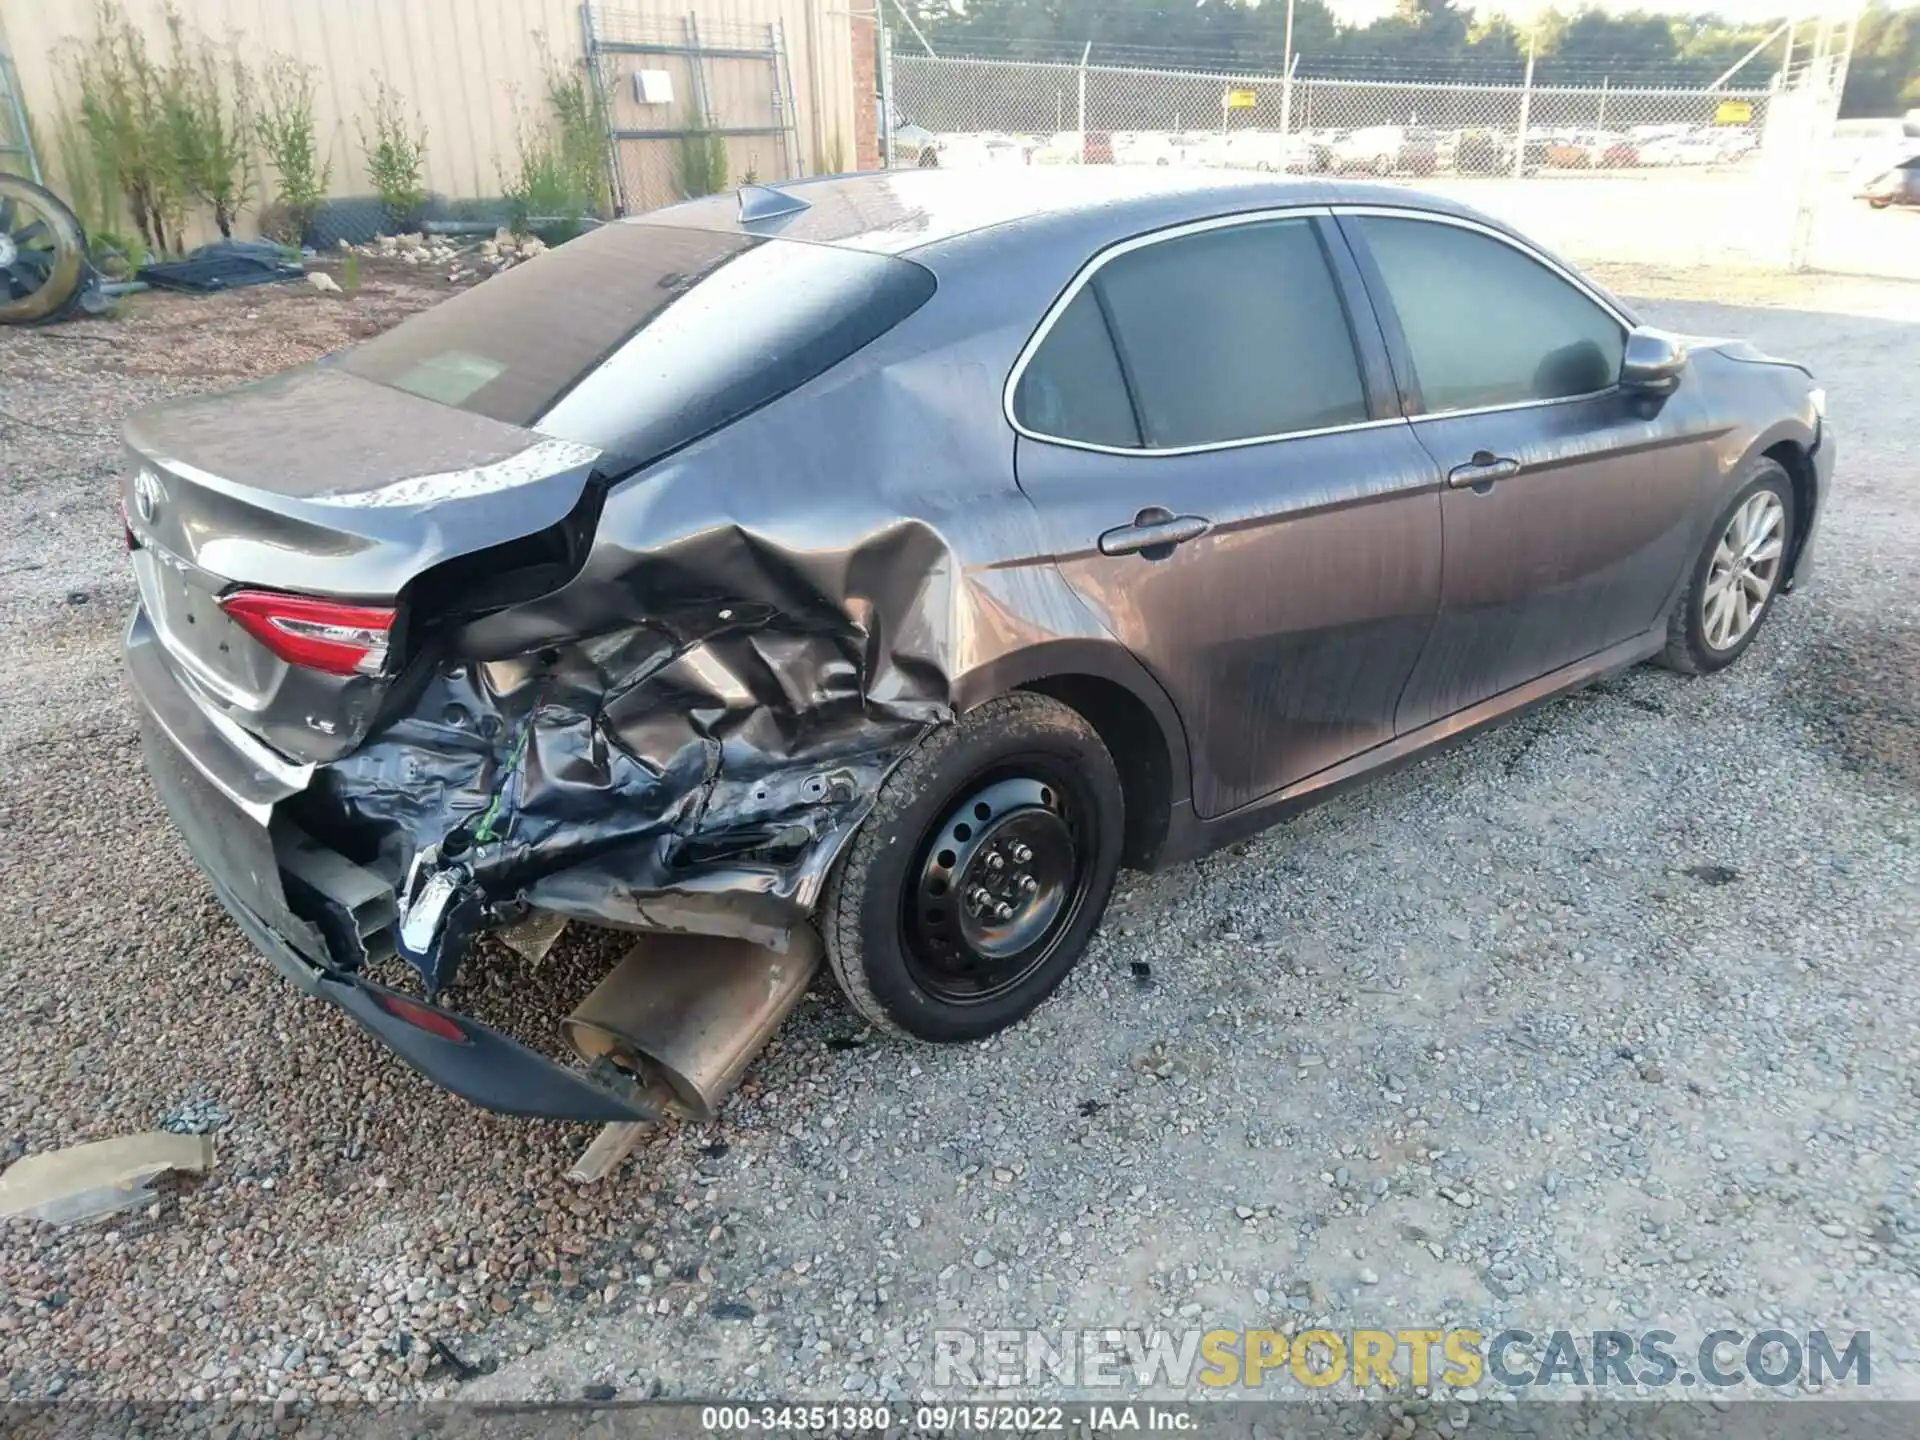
(1216, 337)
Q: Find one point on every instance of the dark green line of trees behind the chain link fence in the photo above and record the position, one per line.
(1424, 39)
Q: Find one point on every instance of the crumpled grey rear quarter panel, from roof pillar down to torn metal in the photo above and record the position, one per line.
(767, 623)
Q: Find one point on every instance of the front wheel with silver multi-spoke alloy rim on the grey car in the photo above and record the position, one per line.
(1737, 577)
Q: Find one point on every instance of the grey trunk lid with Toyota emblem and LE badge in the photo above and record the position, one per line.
(318, 483)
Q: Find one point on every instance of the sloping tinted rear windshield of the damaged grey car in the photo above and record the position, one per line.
(644, 337)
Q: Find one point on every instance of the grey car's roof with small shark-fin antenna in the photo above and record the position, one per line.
(901, 212)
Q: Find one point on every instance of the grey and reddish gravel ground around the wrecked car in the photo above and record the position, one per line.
(1602, 1022)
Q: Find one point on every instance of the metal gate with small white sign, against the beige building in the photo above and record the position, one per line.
(692, 105)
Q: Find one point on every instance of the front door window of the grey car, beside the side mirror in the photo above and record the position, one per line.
(1487, 324)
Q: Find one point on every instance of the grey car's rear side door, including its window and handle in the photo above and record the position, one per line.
(1209, 431)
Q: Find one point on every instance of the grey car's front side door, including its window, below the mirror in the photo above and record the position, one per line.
(1568, 502)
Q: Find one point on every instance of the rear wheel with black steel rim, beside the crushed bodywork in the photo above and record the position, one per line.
(980, 876)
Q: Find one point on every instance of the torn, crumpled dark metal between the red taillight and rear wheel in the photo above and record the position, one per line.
(692, 773)
